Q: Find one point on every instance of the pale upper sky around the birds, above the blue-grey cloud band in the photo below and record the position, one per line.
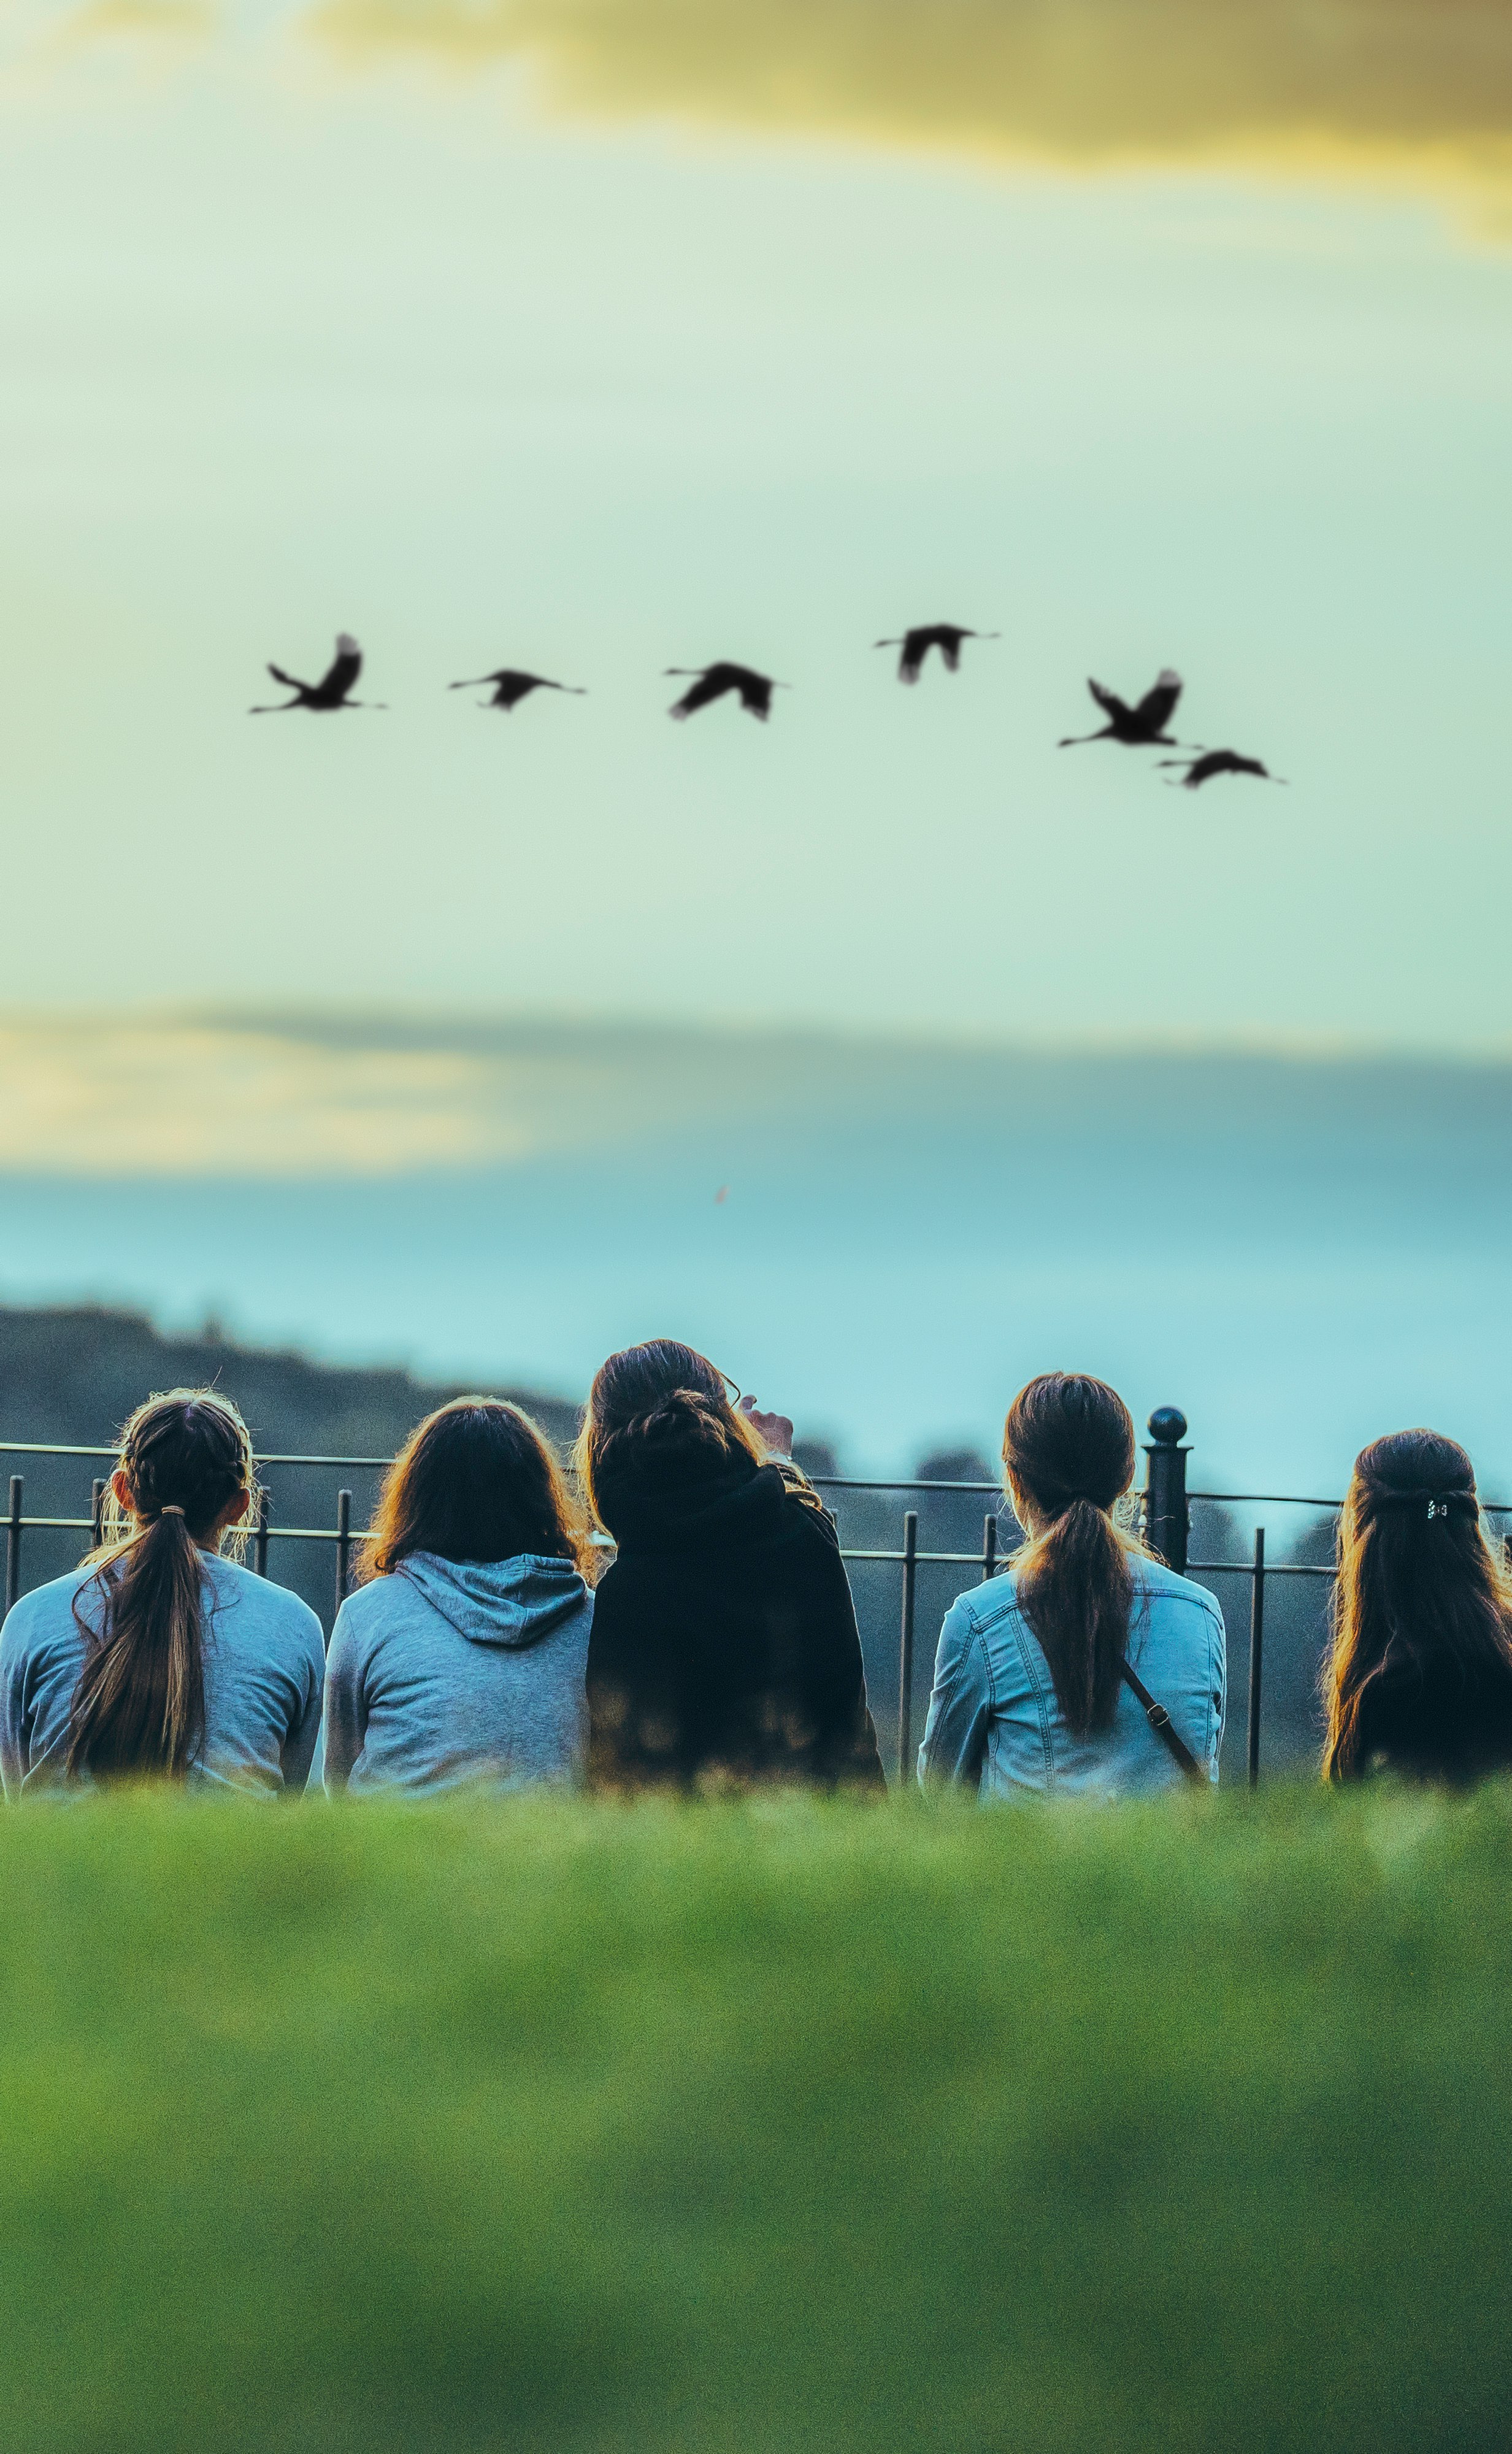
(615, 337)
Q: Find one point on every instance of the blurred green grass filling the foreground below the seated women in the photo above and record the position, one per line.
(757, 2129)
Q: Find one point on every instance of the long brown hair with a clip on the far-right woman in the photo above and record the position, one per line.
(1417, 1582)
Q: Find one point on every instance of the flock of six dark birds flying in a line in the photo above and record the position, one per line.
(1140, 725)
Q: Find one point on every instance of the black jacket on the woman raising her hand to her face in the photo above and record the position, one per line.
(725, 1636)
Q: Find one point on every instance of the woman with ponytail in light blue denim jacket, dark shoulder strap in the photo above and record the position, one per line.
(1089, 1667)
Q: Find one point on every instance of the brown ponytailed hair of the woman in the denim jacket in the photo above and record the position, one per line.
(1069, 1449)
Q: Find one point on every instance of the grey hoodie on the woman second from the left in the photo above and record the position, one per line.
(455, 1672)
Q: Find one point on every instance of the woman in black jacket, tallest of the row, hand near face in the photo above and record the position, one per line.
(725, 1636)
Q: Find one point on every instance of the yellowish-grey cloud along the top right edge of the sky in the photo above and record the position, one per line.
(1086, 82)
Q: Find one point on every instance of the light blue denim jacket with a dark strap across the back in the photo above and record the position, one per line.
(995, 1721)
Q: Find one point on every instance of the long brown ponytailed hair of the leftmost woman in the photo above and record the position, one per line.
(139, 1704)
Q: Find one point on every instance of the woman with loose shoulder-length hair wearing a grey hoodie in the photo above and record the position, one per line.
(463, 1653)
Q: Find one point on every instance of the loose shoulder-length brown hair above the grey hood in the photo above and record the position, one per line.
(477, 1481)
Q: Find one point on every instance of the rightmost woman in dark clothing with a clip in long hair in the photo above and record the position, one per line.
(1420, 1670)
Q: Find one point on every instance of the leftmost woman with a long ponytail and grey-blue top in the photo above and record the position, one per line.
(161, 1658)
